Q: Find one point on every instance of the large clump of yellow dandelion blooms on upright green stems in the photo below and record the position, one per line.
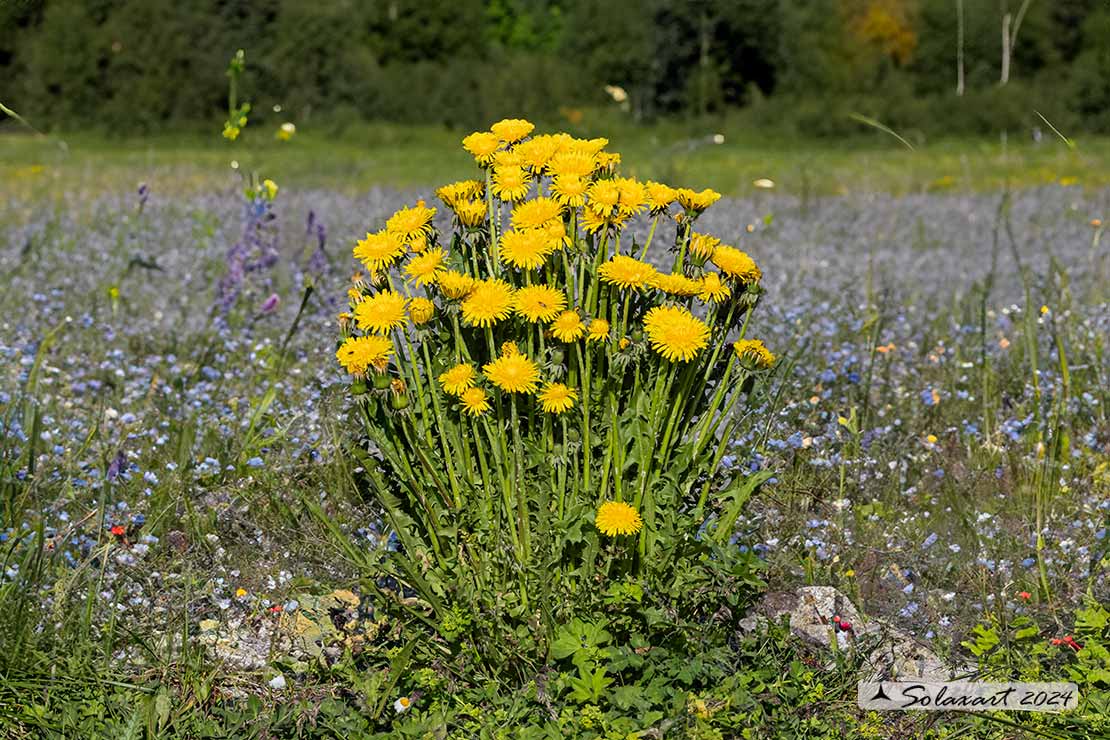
(537, 322)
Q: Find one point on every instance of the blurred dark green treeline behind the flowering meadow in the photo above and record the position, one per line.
(934, 66)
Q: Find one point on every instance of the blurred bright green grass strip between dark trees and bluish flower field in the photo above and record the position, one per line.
(675, 153)
